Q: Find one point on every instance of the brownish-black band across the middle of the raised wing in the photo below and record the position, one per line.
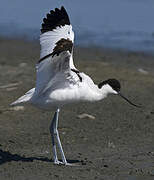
(61, 45)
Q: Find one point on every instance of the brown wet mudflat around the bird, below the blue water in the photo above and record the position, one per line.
(117, 145)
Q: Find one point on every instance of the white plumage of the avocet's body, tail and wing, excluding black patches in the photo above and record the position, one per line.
(56, 83)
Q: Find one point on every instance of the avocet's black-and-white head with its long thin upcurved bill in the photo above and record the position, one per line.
(112, 86)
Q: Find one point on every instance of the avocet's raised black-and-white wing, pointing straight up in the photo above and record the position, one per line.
(56, 41)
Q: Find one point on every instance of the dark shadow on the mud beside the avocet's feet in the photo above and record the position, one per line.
(6, 156)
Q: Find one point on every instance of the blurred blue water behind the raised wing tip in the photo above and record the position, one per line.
(124, 24)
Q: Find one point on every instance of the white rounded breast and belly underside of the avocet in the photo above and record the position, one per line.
(60, 97)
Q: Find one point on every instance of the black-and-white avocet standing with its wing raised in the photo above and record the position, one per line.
(58, 81)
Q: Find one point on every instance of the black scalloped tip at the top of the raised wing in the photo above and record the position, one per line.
(56, 18)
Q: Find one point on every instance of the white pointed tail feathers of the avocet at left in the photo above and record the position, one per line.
(24, 99)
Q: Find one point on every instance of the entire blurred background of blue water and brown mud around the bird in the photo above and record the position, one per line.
(113, 39)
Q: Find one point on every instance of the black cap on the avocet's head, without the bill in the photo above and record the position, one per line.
(115, 84)
